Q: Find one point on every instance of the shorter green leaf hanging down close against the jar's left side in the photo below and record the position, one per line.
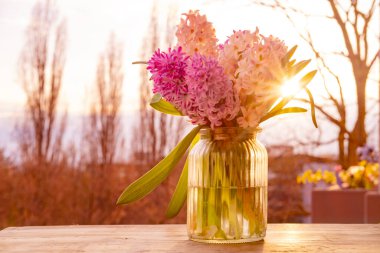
(180, 193)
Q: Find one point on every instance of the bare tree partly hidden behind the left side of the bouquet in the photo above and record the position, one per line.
(154, 132)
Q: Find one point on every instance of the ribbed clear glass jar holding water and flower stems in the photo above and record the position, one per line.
(227, 187)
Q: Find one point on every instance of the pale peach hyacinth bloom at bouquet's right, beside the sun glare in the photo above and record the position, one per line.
(258, 77)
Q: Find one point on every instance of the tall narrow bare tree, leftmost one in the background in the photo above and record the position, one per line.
(41, 68)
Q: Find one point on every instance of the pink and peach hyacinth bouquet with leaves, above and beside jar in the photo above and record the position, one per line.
(234, 83)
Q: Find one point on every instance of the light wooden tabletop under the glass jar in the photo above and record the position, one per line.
(172, 238)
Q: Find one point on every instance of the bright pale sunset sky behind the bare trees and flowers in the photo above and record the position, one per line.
(90, 23)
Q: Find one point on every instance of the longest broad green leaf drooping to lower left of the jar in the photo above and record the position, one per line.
(154, 177)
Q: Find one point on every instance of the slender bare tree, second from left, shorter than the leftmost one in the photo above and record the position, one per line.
(105, 127)
